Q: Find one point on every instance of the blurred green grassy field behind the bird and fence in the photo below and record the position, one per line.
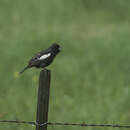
(90, 78)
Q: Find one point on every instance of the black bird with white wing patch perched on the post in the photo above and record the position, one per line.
(44, 58)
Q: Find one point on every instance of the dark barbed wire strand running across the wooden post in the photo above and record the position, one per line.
(64, 124)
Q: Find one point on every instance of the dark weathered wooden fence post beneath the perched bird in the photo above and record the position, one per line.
(43, 99)
